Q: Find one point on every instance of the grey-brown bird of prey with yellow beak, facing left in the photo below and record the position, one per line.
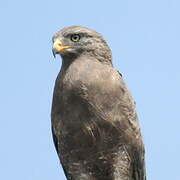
(94, 122)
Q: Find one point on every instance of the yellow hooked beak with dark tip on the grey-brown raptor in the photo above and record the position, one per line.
(59, 47)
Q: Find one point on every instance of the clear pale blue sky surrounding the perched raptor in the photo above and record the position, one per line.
(145, 40)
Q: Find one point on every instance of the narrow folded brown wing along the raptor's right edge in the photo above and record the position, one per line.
(134, 134)
